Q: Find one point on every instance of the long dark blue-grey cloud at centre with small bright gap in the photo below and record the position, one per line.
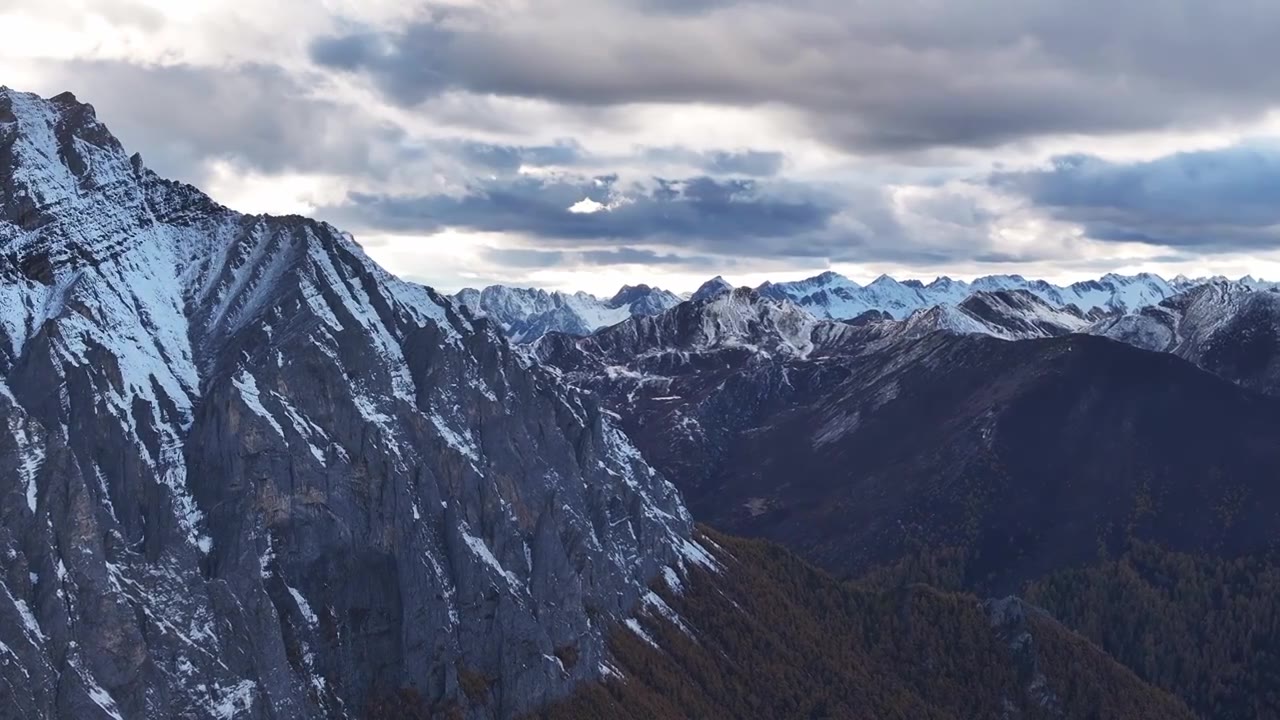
(696, 222)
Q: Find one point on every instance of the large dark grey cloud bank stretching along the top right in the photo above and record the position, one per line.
(870, 76)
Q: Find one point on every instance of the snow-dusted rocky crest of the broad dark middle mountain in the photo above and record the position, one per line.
(742, 329)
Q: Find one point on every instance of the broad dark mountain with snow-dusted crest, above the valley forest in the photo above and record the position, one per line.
(854, 441)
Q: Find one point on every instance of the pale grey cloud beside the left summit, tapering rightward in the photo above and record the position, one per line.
(264, 119)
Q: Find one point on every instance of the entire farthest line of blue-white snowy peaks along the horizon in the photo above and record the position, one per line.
(527, 315)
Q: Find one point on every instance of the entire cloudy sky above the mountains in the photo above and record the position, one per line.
(583, 144)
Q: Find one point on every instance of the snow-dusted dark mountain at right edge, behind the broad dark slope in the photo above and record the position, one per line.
(1229, 329)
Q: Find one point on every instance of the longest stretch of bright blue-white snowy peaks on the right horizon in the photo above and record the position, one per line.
(833, 295)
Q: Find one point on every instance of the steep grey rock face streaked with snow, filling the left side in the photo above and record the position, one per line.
(245, 472)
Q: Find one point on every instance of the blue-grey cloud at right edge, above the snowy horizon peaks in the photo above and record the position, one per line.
(1215, 200)
